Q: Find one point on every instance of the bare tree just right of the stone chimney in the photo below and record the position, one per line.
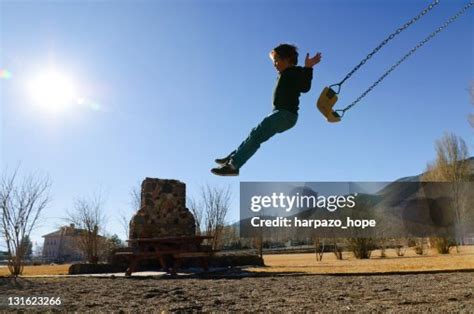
(216, 204)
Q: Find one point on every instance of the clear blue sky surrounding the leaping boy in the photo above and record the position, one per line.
(167, 86)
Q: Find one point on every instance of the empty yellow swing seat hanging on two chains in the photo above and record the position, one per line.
(329, 95)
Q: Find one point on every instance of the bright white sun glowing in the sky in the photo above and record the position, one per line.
(52, 90)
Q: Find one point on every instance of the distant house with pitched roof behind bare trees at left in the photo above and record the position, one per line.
(62, 245)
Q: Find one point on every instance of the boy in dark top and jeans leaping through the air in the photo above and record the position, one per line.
(292, 81)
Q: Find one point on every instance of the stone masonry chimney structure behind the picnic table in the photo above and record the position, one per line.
(163, 211)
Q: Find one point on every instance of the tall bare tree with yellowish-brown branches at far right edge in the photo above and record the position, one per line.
(451, 165)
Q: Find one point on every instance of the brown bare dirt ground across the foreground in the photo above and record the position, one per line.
(237, 291)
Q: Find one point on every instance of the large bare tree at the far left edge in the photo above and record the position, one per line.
(20, 209)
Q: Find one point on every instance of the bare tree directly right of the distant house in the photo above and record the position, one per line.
(87, 216)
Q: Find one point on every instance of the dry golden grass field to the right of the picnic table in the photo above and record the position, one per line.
(410, 262)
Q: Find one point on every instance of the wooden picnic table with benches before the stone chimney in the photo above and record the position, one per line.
(167, 248)
